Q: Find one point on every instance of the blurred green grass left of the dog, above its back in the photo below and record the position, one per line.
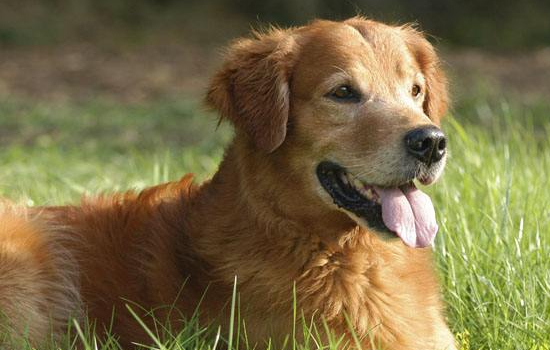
(56, 153)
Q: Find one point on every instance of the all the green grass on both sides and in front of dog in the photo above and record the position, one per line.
(493, 202)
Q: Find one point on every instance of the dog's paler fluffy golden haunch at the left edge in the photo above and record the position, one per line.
(39, 285)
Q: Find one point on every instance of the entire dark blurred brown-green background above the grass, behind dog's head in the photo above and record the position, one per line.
(136, 50)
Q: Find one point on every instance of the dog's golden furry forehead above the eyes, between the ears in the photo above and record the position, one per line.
(365, 48)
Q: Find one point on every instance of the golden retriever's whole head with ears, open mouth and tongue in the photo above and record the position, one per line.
(354, 106)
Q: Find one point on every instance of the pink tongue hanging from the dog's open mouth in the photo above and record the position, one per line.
(410, 214)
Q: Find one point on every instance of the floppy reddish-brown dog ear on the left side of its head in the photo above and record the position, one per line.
(252, 87)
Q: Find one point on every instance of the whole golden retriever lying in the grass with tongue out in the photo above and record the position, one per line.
(314, 203)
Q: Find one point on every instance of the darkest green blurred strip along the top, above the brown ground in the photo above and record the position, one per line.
(504, 24)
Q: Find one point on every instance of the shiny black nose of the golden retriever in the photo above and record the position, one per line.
(426, 144)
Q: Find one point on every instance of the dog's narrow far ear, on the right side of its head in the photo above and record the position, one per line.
(436, 100)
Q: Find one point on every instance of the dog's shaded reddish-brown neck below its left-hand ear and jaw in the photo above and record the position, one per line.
(253, 199)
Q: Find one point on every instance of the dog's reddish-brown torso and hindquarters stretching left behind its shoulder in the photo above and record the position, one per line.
(95, 260)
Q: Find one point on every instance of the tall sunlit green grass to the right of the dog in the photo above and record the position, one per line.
(494, 208)
